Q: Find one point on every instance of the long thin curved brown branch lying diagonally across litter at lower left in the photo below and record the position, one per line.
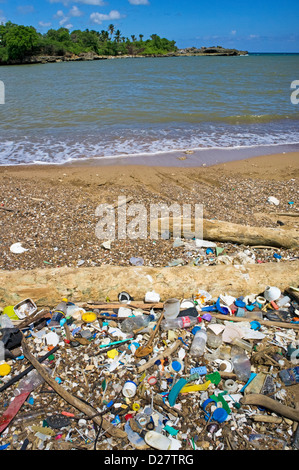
(75, 402)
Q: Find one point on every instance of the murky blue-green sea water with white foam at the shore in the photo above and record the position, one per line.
(64, 112)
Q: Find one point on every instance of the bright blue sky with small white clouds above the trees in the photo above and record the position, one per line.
(256, 26)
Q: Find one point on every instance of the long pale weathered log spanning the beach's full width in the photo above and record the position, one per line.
(48, 286)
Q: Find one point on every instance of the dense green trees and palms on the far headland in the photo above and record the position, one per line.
(17, 42)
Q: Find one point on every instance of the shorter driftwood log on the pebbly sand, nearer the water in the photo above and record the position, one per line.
(221, 231)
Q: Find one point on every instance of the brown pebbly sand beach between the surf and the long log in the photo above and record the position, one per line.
(51, 210)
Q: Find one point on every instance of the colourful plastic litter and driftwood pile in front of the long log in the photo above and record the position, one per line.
(179, 374)
